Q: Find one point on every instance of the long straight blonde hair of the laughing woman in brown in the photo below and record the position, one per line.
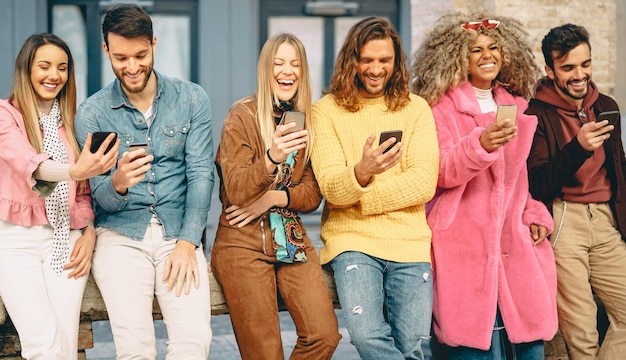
(265, 98)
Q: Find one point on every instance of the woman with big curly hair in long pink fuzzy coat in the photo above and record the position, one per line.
(494, 273)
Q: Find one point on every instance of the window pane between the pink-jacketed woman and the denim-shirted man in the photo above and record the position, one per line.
(68, 24)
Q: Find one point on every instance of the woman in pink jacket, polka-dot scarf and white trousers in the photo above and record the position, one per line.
(45, 205)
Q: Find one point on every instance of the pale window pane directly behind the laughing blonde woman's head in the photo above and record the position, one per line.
(310, 30)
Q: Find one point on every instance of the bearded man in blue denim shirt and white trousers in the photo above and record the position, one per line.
(151, 210)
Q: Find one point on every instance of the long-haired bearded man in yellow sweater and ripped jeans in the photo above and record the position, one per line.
(374, 225)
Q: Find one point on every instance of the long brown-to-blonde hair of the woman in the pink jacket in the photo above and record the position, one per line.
(24, 98)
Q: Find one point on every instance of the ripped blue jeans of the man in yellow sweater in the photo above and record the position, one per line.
(387, 306)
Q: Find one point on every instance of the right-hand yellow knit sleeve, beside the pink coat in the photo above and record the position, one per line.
(414, 180)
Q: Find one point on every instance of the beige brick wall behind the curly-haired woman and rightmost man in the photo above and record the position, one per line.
(600, 19)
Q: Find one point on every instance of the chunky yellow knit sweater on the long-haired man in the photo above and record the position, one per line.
(386, 218)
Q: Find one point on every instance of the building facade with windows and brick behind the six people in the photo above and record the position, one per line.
(216, 42)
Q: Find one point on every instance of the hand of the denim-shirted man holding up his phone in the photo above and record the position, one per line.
(131, 169)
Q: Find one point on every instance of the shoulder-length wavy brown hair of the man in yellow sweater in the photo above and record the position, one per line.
(344, 83)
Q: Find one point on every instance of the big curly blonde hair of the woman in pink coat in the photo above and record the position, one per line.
(435, 70)
